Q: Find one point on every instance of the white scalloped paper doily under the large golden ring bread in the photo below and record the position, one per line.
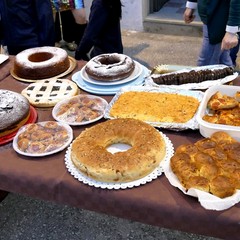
(153, 175)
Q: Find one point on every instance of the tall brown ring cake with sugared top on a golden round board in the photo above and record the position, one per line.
(41, 62)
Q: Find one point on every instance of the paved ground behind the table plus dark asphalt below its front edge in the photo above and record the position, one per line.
(24, 218)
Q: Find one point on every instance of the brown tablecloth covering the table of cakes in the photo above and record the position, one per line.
(156, 203)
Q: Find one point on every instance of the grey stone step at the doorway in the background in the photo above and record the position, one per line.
(172, 27)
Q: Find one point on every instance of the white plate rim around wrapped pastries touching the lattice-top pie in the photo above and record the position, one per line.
(99, 107)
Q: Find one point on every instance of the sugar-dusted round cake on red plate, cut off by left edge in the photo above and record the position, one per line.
(14, 111)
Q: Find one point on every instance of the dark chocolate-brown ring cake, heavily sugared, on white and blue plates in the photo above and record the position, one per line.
(110, 67)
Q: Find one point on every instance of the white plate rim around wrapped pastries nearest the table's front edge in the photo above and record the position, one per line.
(22, 129)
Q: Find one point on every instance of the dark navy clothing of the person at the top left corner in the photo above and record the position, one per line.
(26, 24)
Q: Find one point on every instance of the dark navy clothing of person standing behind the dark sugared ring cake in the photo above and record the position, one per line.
(103, 32)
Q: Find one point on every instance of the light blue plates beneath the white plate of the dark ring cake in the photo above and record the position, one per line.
(107, 90)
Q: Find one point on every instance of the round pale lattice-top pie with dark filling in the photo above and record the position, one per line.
(48, 92)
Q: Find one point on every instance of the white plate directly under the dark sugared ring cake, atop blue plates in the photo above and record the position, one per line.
(135, 74)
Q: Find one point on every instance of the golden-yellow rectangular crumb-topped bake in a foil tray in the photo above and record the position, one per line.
(155, 107)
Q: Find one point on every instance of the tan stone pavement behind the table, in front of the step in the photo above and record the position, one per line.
(152, 49)
